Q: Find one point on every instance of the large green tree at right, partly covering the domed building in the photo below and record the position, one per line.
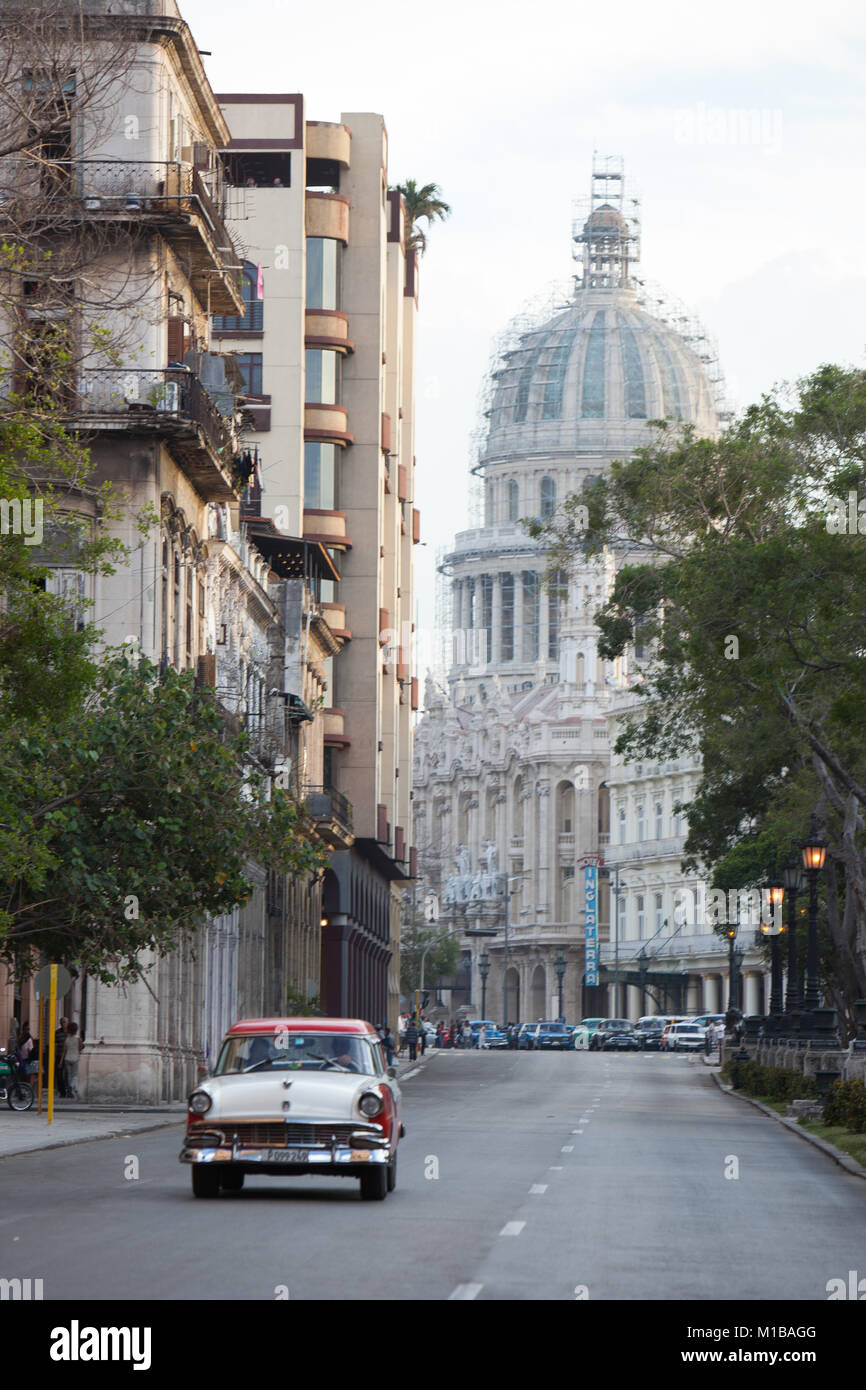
(736, 569)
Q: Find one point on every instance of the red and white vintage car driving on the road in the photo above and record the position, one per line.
(297, 1096)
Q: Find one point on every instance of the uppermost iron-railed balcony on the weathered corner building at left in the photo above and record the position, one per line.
(170, 197)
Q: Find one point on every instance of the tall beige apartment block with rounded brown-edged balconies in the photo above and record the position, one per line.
(326, 350)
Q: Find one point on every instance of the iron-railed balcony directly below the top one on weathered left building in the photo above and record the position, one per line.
(173, 405)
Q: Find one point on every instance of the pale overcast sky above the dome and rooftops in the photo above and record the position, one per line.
(743, 126)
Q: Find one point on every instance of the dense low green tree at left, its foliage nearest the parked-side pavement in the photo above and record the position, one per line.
(129, 822)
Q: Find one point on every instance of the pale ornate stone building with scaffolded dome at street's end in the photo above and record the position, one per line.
(514, 780)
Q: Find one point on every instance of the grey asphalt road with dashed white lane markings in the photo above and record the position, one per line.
(523, 1177)
